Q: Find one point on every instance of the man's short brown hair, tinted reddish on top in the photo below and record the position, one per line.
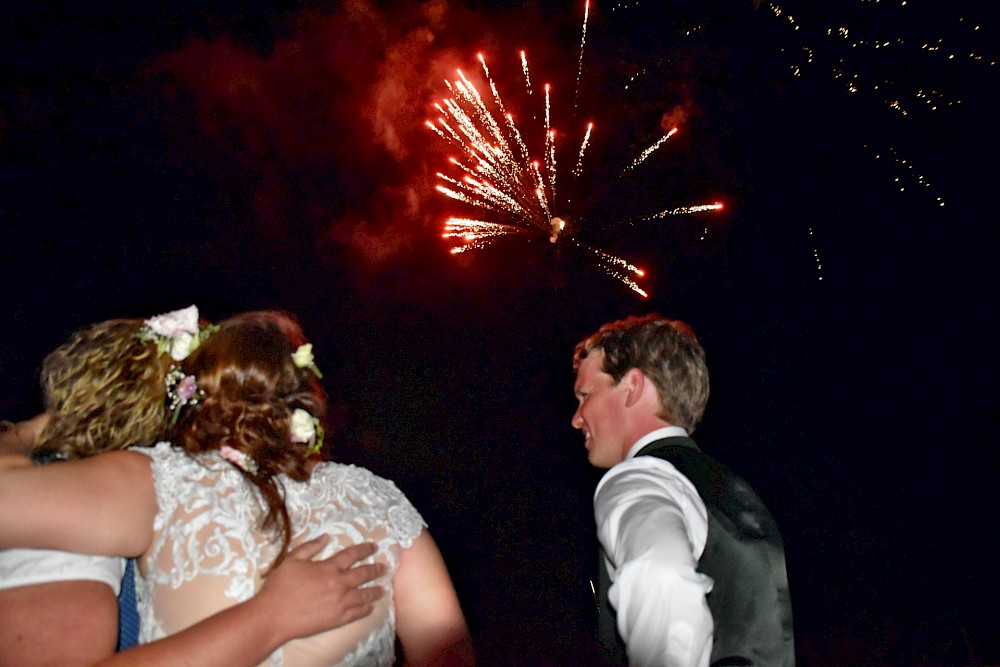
(666, 351)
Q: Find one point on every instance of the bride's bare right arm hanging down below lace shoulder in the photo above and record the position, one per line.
(429, 620)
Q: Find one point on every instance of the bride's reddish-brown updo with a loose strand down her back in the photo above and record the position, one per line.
(248, 388)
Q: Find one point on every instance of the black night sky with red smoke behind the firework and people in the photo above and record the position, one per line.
(245, 155)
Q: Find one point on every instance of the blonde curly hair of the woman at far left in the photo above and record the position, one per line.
(104, 390)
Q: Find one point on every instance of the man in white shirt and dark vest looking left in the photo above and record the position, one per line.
(674, 525)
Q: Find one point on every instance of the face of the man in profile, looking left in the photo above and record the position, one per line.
(600, 414)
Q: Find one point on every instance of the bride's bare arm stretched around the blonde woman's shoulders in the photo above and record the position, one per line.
(71, 506)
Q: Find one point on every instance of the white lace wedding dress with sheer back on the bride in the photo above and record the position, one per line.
(208, 552)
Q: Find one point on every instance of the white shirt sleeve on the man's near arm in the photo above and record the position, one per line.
(653, 525)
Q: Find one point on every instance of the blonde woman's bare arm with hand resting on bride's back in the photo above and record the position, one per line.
(72, 623)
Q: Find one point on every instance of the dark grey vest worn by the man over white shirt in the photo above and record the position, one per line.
(750, 604)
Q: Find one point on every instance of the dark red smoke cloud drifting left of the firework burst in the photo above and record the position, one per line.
(325, 132)
